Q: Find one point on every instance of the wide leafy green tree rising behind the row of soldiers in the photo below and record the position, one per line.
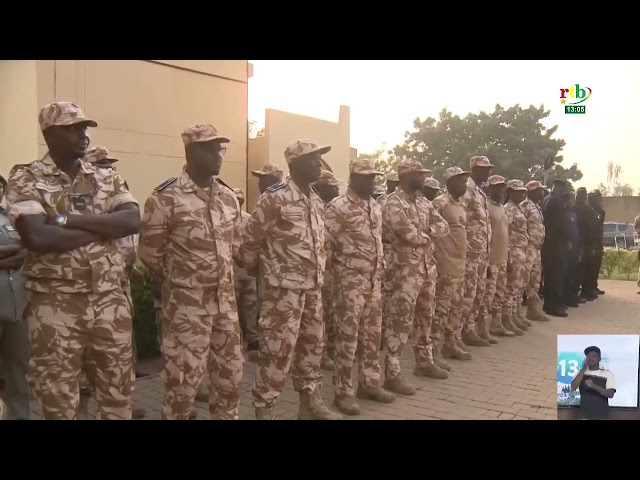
(514, 139)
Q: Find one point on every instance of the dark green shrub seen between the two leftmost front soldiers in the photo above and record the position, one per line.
(144, 320)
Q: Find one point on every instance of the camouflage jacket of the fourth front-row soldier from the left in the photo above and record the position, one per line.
(354, 226)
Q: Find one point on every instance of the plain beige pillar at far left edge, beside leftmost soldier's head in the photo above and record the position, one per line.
(18, 113)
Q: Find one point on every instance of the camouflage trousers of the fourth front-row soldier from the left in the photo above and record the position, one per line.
(358, 308)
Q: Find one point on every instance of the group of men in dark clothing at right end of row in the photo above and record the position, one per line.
(572, 251)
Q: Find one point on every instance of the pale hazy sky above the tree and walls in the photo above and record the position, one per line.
(385, 97)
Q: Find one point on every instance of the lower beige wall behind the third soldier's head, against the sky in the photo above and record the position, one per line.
(282, 128)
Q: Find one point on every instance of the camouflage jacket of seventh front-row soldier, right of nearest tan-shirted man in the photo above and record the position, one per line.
(478, 223)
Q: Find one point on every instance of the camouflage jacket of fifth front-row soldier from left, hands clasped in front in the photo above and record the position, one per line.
(412, 223)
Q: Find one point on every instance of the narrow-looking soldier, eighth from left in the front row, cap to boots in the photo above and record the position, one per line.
(490, 316)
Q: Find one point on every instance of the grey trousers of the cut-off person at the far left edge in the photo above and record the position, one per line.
(14, 351)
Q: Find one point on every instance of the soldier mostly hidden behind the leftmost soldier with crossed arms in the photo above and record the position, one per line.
(100, 157)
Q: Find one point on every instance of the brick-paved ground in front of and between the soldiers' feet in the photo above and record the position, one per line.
(515, 380)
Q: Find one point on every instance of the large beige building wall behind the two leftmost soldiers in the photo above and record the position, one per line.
(141, 106)
